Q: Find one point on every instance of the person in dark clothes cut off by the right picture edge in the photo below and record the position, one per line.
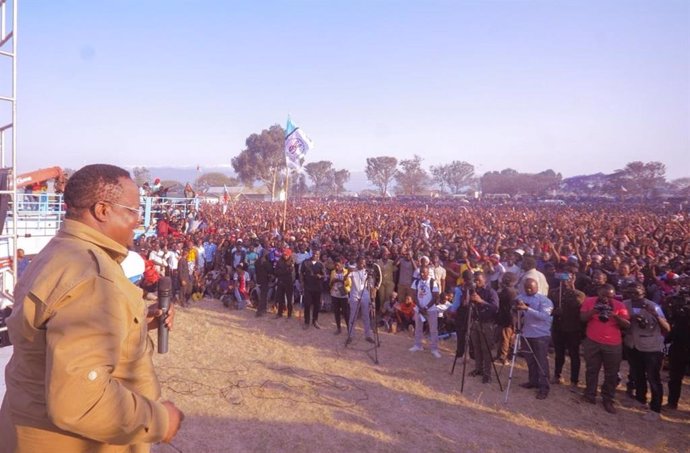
(678, 309)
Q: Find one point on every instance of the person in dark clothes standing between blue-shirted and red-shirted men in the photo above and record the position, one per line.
(566, 331)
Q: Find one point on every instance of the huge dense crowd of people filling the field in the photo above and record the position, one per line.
(421, 264)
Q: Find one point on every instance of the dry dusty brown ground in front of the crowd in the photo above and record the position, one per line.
(250, 384)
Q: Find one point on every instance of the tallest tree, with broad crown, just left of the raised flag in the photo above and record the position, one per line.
(263, 158)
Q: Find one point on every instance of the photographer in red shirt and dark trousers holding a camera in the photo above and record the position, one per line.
(606, 317)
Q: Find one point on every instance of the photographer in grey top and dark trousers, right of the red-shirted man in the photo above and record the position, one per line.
(645, 344)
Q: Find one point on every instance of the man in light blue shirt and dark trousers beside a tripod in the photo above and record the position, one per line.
(536, 329)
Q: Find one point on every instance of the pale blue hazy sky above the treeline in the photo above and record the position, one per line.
(576, 86)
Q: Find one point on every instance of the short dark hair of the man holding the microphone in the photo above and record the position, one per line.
(91, 184)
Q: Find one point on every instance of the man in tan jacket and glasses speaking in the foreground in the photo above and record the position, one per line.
(81, 378)
